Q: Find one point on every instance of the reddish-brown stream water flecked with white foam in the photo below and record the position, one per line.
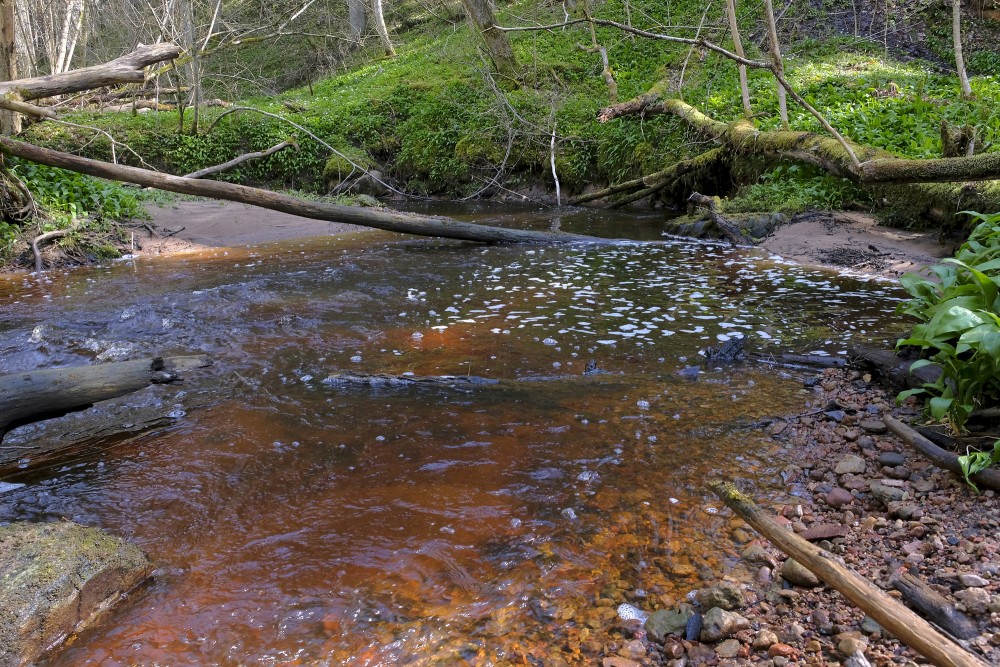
(299, 522)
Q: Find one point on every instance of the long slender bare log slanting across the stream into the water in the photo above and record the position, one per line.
(392, 221)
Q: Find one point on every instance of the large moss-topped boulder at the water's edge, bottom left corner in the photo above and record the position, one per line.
(57, 579)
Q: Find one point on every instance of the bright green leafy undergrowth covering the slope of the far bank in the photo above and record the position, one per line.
(434, 121)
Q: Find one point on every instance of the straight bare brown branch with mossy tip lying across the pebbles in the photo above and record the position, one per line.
(900, 621)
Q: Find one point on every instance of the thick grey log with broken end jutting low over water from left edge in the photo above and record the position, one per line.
(32, 396)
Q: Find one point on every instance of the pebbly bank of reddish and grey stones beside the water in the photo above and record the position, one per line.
(859, 492)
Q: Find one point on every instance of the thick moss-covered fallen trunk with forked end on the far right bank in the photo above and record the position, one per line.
(936, 188)
